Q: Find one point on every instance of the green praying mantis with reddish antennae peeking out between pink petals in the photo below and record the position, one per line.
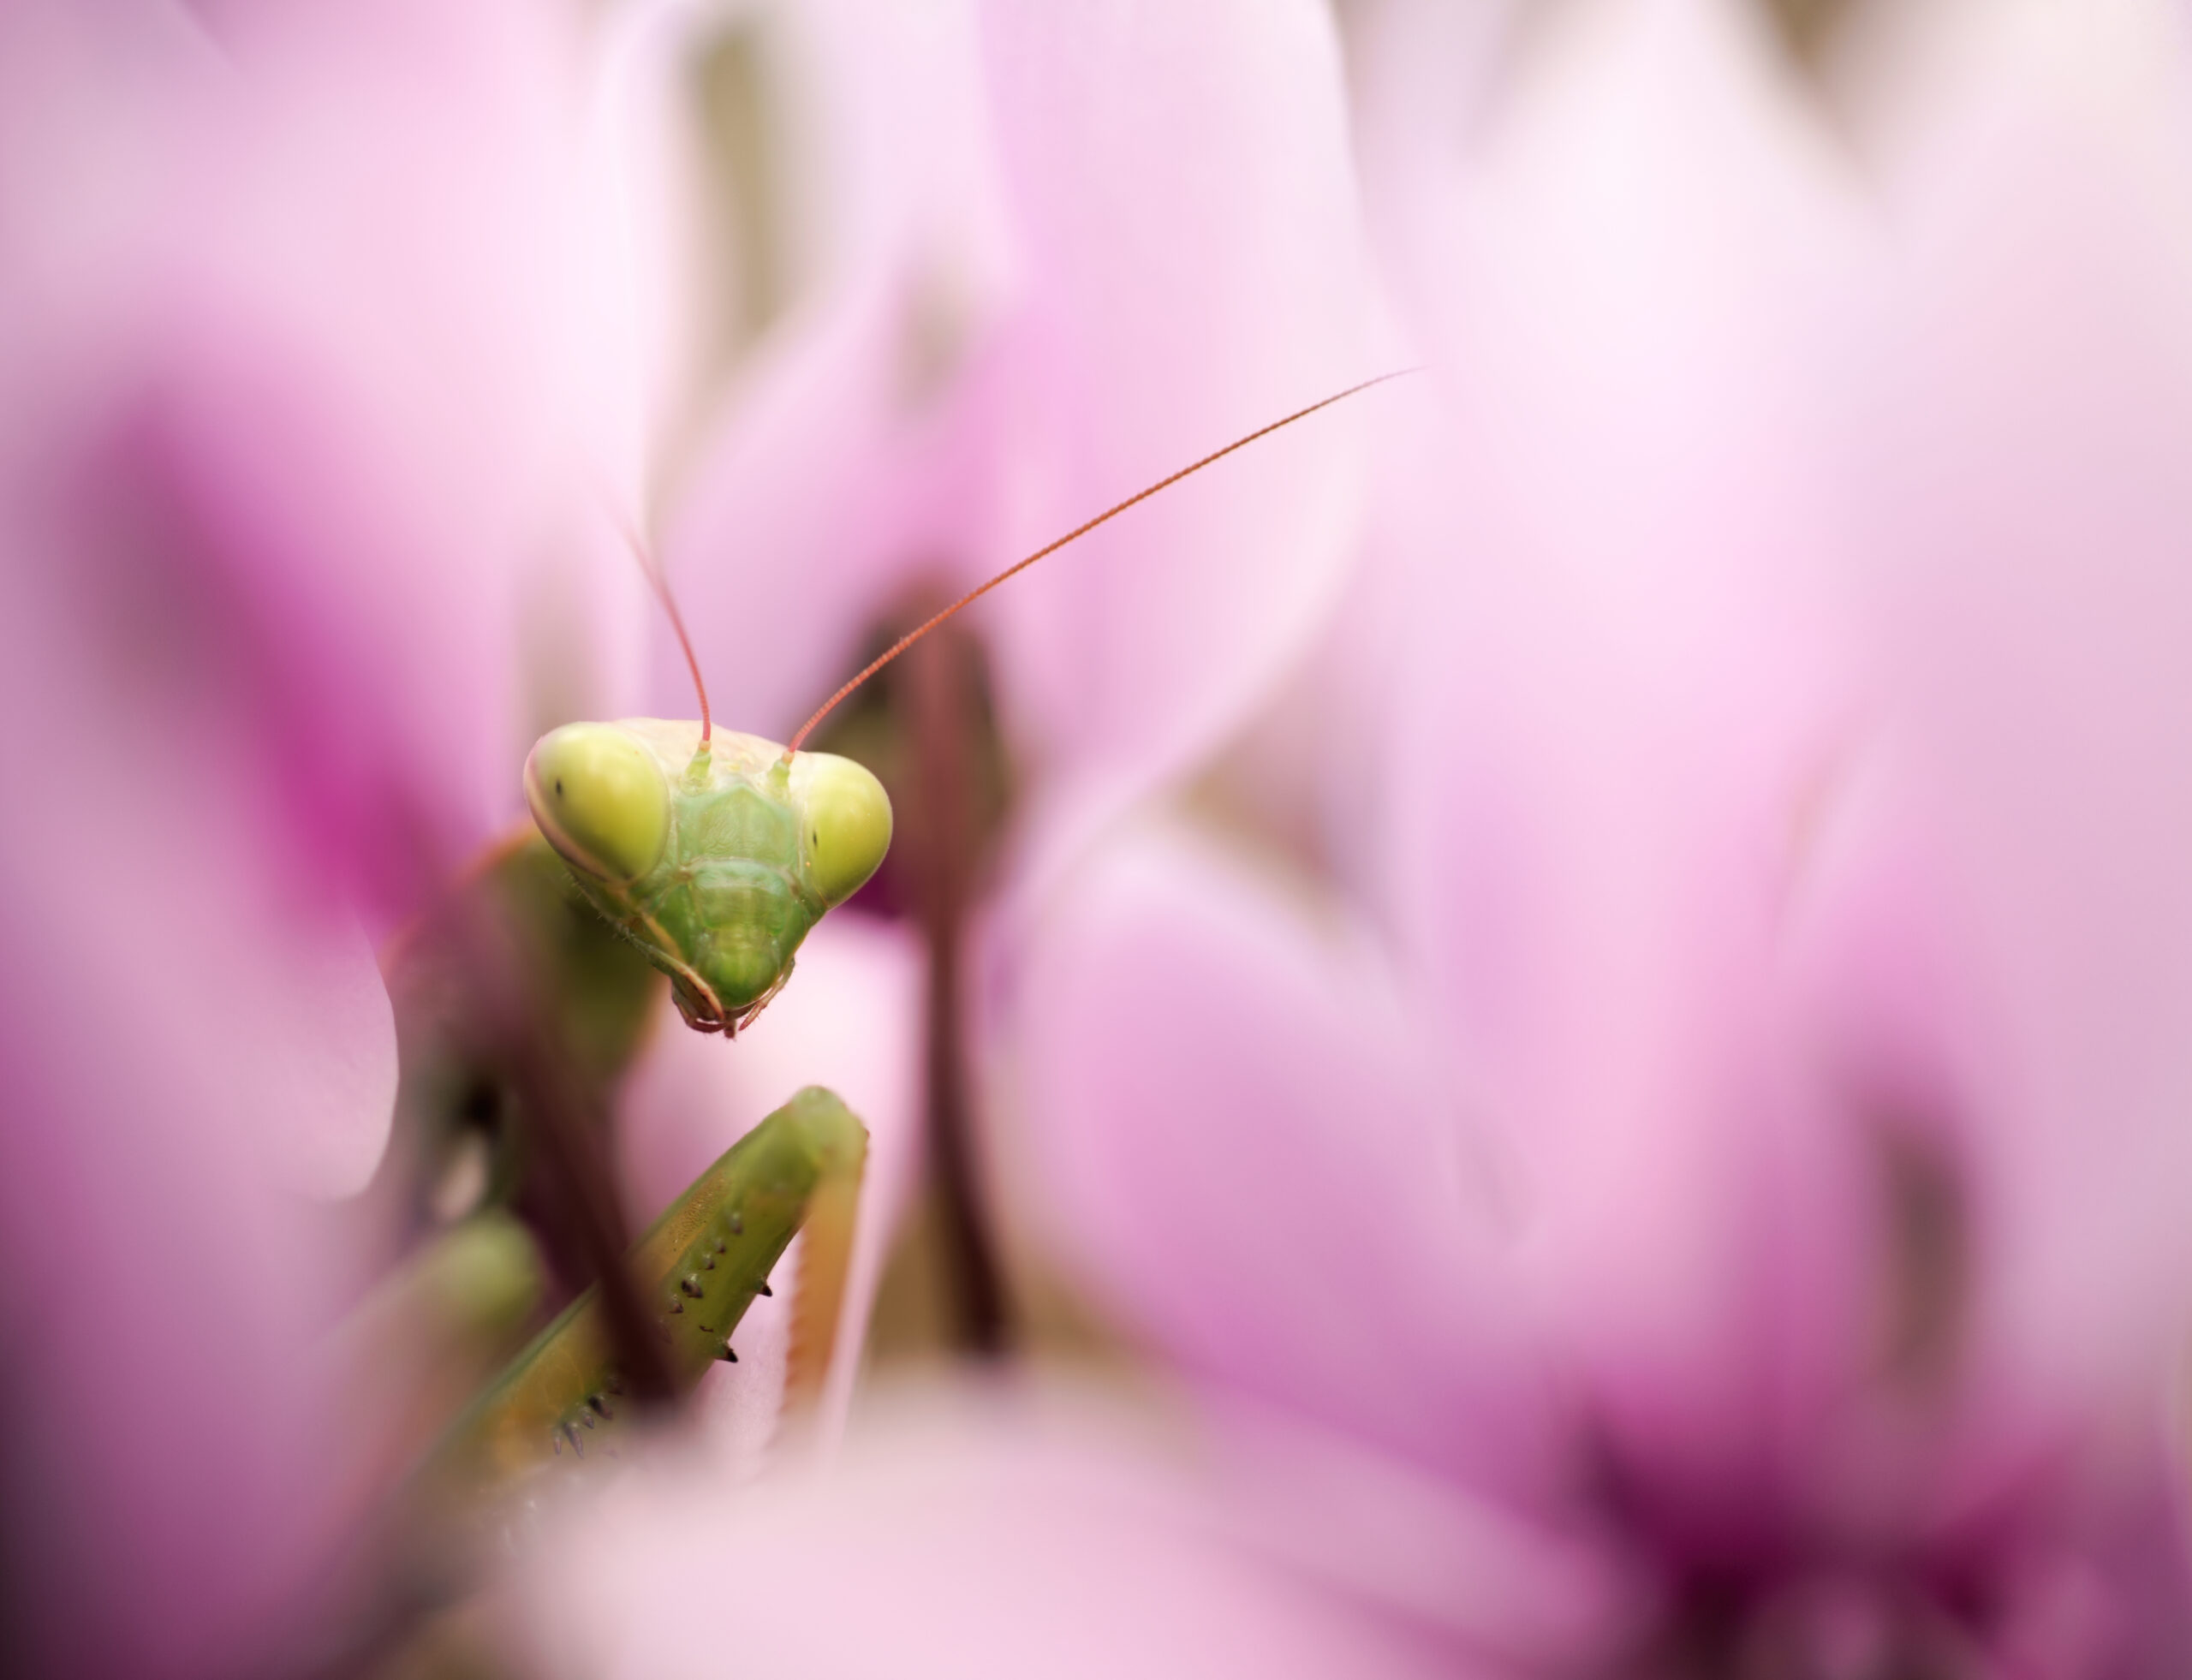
(713, 856)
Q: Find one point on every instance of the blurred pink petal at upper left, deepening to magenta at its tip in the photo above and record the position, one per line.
(315, 391)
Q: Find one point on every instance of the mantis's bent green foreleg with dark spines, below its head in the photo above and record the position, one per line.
(698, 1271)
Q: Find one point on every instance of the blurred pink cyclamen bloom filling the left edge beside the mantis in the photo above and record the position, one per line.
(279, 435)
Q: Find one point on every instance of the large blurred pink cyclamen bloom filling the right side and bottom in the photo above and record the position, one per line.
(1724, 1155)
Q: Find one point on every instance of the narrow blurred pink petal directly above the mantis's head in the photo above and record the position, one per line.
(852, 455)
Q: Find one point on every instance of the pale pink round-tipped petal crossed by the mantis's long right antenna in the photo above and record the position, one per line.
(1194, 273)
